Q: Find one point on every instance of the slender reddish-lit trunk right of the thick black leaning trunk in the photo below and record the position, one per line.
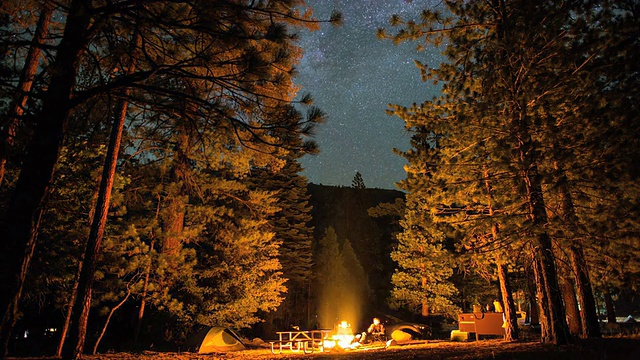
(83, 302)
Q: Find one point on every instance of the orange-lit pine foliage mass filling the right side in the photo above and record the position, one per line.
(525, 101)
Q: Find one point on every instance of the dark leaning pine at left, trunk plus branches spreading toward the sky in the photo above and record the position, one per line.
(250, 46)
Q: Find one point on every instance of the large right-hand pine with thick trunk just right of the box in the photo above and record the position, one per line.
(500, 86)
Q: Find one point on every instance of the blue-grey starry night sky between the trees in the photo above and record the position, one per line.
(353, 76)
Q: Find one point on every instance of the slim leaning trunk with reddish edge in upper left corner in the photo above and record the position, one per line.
(16, 109)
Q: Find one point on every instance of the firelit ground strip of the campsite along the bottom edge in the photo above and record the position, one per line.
(608, 348)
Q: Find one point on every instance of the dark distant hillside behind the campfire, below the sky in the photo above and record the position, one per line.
(345, 209)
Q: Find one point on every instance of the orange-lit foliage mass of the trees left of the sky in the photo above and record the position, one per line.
(211, 99)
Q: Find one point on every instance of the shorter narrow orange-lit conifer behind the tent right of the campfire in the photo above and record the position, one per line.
(424, 254)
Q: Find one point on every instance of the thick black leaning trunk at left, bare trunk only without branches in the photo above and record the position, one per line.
(22, 217)
